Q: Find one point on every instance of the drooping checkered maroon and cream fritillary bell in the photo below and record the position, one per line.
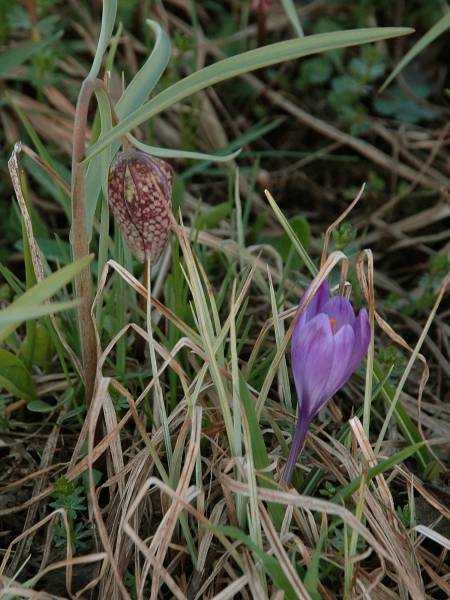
(140, 190)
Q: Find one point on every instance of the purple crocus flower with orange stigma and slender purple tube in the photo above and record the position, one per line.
(328, 344)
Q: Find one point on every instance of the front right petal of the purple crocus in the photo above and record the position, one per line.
(340, 369)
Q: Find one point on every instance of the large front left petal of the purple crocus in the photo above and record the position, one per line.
(312, 353)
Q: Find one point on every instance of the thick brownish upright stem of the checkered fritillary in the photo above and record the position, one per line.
(79, 236)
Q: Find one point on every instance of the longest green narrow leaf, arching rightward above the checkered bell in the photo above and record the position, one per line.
(240, 64)
